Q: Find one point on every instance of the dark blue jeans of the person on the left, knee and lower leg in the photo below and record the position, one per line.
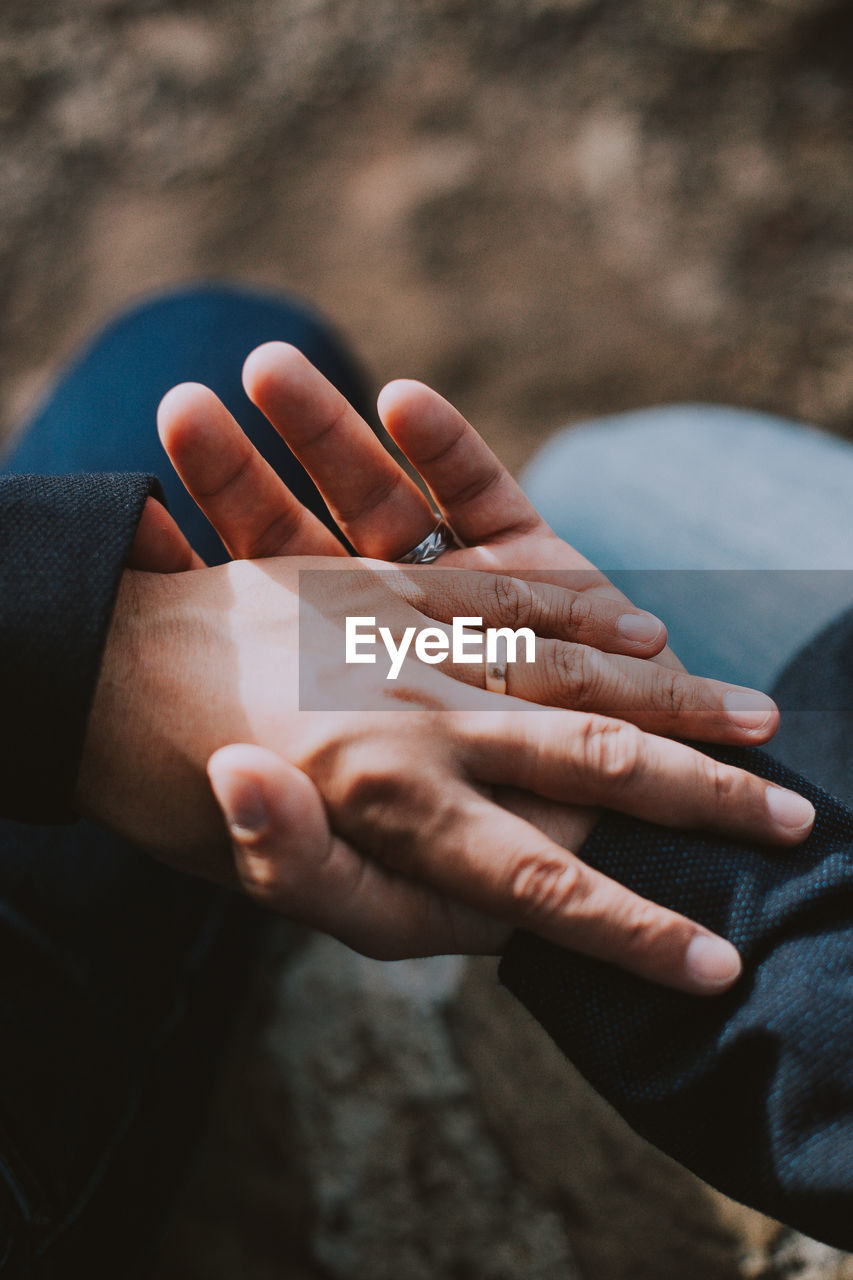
(118, 977)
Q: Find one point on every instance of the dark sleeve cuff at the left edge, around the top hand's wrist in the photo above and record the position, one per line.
(63, 543)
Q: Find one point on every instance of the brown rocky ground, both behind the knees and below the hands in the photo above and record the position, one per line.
(549, 211)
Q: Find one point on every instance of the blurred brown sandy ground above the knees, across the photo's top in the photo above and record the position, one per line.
(548, 209)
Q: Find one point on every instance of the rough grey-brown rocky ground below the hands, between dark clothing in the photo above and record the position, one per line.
(412, 1121)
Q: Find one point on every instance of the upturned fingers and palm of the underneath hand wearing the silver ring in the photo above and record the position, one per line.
(382, 511)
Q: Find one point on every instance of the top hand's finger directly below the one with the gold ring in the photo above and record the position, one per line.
(590, 760)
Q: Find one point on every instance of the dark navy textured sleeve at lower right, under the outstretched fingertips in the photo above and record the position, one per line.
(754, 1090)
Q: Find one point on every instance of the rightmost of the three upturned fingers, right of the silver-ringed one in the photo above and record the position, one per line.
(475, 491)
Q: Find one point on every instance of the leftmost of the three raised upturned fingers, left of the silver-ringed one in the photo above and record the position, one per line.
(248, 504)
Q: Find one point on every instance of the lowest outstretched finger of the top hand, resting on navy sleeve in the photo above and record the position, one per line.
(501, 866)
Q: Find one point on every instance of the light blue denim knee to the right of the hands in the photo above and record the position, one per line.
(733, 527)
